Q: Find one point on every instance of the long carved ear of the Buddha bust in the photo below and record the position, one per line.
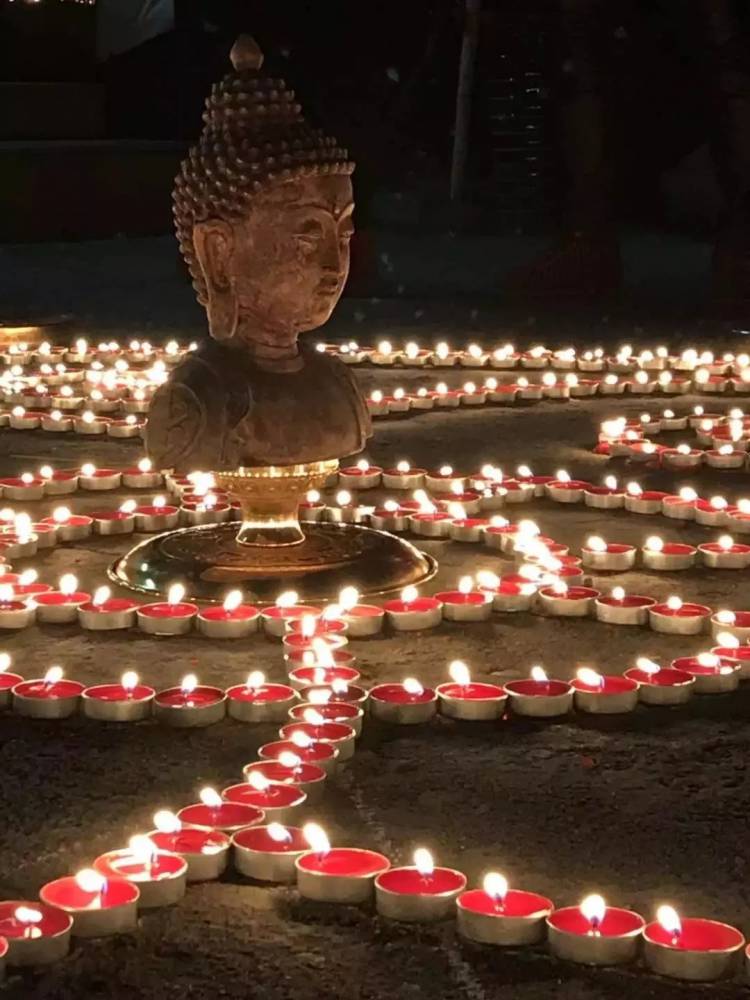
(214, 244)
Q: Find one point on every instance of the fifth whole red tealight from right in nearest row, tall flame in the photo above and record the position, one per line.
(336, 874)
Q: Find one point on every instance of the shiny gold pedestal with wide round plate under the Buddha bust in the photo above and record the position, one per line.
(270, 550)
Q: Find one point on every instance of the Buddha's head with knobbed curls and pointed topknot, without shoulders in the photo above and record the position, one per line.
(263, 213)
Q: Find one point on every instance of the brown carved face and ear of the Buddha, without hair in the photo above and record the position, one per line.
(281, 268)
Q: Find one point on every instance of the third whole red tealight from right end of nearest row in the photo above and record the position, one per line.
(498, 915)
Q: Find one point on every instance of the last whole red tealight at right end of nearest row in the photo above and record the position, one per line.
(689, 948)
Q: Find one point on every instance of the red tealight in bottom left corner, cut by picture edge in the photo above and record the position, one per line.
(35, 933)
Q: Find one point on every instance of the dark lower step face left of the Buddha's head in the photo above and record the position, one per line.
(86, 189)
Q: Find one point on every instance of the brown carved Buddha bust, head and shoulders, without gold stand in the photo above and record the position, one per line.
(263, 212)
